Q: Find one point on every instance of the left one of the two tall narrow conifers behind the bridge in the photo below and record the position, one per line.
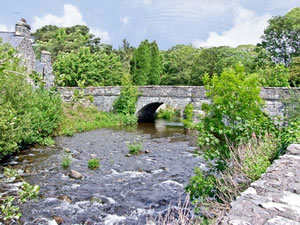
(141, 64)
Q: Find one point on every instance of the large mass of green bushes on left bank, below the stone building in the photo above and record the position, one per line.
(27, 115)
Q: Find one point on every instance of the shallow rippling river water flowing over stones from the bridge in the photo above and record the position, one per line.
(124, 190)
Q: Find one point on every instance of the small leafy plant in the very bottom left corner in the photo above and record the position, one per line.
(8, 210)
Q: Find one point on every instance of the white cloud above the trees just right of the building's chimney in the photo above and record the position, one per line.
(71, 17)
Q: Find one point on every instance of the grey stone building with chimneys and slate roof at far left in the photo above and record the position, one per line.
(21, 40)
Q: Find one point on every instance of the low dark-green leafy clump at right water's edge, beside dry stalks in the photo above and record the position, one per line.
(201, 185)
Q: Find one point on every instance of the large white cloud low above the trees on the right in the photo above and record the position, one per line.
(247, 29)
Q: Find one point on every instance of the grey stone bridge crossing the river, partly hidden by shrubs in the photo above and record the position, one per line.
(152, 97)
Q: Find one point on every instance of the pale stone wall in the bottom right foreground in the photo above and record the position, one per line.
(274, 199)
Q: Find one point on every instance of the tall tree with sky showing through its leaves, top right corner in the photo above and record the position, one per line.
(281, 37)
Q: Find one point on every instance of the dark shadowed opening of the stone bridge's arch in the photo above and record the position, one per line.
(147, 113)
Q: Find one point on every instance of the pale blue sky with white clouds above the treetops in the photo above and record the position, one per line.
(202, 23)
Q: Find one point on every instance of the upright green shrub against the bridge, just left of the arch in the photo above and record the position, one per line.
(126, 102)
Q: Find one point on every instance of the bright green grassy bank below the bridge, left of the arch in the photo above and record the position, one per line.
(79, 119)
